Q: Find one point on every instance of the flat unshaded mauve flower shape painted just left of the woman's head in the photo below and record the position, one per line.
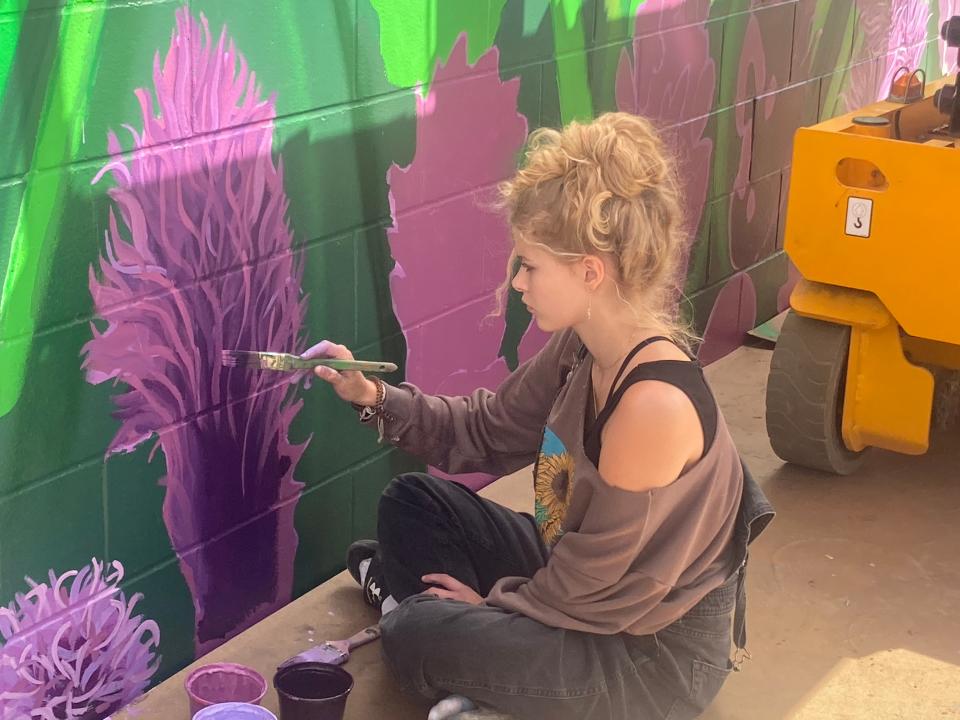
(446, 238)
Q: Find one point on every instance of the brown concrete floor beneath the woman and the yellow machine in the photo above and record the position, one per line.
(854, 590)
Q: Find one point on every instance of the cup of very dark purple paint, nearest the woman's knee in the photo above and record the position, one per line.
(312, 691)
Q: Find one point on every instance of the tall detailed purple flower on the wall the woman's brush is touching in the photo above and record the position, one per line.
(177, 286)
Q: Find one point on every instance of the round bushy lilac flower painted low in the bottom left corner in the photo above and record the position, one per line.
(73, 649)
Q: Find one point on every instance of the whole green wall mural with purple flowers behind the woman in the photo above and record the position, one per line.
(178, 180)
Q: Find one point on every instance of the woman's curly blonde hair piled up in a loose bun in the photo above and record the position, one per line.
(607, 187)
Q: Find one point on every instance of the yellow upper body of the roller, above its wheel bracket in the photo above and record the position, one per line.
(910, 259)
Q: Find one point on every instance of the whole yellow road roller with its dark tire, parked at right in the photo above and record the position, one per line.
(870, 228)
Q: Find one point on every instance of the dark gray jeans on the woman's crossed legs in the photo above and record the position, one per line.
(508, 661)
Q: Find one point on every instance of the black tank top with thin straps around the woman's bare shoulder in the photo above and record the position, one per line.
(687, 375)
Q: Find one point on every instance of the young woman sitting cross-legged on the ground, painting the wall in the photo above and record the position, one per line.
(616, 597)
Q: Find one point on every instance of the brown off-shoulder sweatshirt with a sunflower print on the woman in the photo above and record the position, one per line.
(620, 561)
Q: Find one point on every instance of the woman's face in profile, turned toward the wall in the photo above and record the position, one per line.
(551, 289)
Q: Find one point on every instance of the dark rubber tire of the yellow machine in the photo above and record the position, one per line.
(805, 392)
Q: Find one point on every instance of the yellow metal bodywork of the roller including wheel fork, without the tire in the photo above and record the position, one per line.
(895, 288)
